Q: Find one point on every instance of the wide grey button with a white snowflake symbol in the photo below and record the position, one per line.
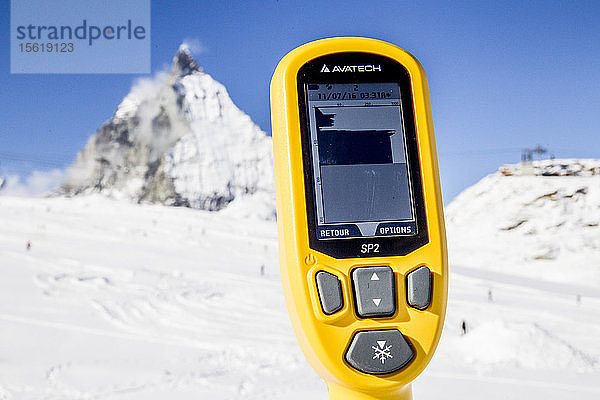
(379, 352)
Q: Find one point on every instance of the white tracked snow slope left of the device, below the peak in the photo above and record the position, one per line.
(116, 300)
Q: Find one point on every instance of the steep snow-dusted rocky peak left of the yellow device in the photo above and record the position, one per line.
(176, 139)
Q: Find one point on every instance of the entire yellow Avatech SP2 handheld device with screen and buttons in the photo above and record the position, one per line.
(359, 213)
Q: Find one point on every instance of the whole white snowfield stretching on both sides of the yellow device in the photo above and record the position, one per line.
(123, 301)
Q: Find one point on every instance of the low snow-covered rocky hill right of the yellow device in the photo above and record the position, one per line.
(542, 217)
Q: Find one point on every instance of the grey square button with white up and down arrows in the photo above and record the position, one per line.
(374, 290)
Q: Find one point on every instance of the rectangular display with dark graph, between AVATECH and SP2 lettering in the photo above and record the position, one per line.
(360, 168)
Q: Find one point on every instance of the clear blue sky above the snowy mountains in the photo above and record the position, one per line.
(502, 75)
